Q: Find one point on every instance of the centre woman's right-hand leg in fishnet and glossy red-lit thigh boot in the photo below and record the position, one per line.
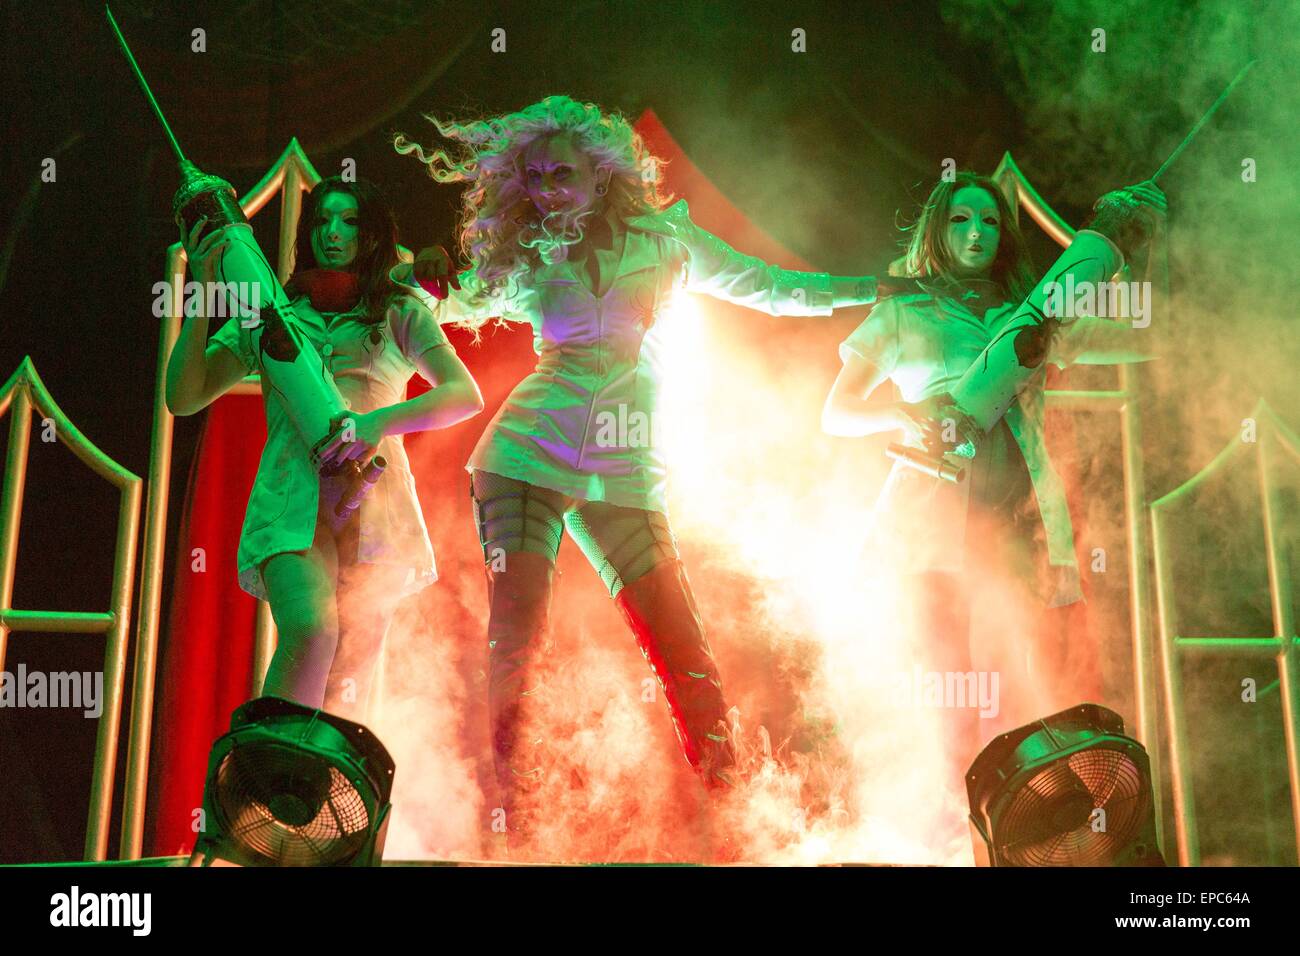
(635, 553)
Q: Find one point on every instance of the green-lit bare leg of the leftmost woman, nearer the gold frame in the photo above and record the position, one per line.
(301, 591)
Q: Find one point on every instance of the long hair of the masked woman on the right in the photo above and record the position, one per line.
(929, 256)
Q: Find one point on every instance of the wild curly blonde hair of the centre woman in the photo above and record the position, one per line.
(501, 232)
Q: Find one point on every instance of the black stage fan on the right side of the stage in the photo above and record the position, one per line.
(1071, 790)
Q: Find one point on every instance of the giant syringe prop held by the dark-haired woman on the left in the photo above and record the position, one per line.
(289, 365)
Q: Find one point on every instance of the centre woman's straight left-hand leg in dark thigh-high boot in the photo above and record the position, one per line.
(521, 529)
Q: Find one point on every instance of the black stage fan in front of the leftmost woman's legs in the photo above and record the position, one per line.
(291, 786)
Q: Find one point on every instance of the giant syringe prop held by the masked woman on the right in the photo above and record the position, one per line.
(983, 395)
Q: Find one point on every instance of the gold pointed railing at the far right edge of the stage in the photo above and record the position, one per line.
(1271, 435)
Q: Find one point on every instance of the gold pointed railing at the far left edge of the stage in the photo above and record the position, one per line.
(24, 393)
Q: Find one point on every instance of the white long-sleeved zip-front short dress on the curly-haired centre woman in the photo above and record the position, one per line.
(600, 357)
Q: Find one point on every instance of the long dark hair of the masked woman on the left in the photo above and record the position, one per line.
(376, 243)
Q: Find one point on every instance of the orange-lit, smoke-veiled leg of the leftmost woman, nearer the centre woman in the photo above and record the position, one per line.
(369, 596)
